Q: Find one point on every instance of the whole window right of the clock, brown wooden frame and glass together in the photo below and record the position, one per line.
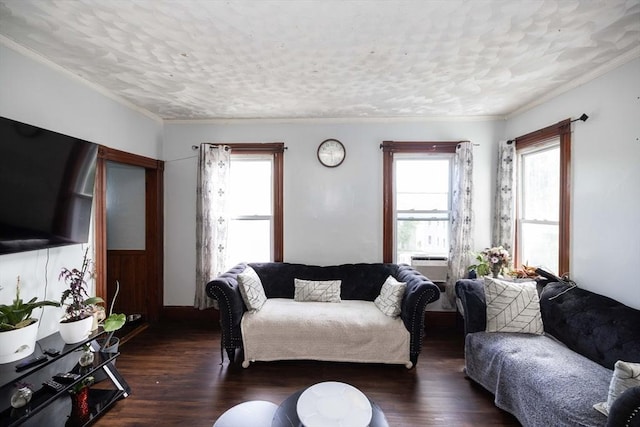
(417, 199)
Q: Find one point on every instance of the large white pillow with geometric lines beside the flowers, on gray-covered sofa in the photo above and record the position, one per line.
(512, 307)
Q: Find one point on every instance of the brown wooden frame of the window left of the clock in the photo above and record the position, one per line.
(276, 149)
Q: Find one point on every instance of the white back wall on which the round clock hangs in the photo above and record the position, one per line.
(331, 216)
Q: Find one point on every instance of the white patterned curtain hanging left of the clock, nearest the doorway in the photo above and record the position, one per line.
(212, 220)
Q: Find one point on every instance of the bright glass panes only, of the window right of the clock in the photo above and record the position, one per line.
(423, 205)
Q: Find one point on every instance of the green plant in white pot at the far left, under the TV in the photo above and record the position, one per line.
(18, 330)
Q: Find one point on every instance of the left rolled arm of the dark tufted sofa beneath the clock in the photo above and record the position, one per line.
(224, 289)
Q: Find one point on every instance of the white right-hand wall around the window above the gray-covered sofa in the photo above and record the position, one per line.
(605, 207)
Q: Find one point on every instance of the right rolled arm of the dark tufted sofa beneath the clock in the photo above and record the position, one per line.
(419, 292)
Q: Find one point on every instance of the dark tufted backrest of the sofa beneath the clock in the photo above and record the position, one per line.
(359, 281)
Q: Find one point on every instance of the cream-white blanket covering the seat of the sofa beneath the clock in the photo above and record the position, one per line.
(348, 331)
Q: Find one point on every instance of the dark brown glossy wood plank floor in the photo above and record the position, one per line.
(177, 379)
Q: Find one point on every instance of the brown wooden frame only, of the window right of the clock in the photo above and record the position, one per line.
(389, 149)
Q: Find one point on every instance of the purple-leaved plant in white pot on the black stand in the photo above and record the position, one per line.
(76, 324)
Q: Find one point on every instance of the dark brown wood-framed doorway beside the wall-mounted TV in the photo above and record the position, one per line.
(129, 232)
